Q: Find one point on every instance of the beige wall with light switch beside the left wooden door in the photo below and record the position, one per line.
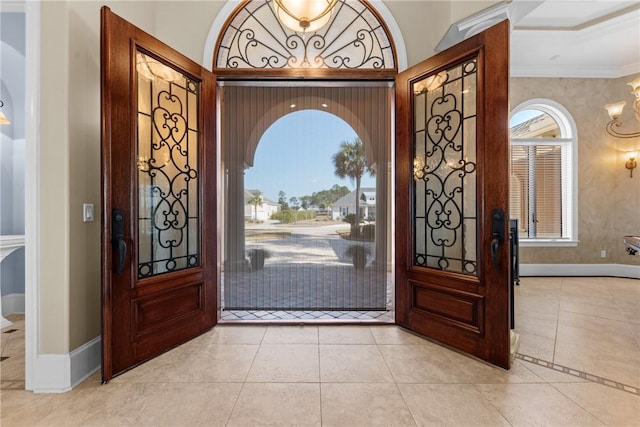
(70, 169)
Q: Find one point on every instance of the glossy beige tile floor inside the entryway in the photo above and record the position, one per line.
(371, 375)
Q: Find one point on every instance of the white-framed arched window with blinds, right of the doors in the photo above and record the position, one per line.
(543, 193)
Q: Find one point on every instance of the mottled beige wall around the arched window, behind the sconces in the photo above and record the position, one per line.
(608, 200)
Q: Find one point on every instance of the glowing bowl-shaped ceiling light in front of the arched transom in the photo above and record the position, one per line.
(304, 15)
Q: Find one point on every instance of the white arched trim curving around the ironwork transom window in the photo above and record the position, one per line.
(378, 5)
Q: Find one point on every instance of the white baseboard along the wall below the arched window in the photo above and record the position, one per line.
(605, 270)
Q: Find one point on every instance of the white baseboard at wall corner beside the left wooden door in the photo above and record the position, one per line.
(58, 373)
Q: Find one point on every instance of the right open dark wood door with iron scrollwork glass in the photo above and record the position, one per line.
(452, 187)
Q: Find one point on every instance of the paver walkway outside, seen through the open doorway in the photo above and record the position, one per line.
(307, 271)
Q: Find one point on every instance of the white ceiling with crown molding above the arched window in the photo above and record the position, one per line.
(575, 38)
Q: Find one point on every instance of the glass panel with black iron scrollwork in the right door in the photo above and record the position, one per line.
(444, 208)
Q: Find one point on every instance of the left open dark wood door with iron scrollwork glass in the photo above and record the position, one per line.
(159, 279)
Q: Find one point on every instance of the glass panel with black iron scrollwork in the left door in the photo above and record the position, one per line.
(167, 161)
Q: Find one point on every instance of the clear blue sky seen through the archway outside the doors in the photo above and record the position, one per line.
(294, 155)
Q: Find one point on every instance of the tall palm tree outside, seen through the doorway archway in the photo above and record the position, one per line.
(351, 162)
